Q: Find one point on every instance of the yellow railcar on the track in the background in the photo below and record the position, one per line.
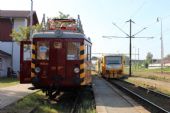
(112, 66)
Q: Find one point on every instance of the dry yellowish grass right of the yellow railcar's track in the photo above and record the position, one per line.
(153, 74)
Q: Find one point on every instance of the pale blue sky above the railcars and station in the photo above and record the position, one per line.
(98, 16)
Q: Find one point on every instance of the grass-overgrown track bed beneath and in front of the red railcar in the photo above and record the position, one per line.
(81, 101)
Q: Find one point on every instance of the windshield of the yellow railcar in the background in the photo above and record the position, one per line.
(113, 60)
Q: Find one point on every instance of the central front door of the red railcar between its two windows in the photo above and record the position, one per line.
(57, 60)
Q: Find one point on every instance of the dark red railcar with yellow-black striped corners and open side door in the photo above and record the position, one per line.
(60, 60)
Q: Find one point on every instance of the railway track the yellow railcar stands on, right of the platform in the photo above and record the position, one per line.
(153, 101)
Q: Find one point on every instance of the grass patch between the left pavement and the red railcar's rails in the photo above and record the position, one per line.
(29, 102)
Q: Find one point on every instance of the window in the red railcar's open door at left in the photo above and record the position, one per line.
(27, 52)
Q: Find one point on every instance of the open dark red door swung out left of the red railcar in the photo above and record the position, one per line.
(25, 62)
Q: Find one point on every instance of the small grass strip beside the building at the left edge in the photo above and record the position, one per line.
(5, 82)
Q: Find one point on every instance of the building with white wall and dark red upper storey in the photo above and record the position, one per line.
(11, 19)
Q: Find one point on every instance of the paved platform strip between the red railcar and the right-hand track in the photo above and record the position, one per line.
(111, 100)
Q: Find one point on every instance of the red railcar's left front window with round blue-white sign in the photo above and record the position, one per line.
(43, 50)
